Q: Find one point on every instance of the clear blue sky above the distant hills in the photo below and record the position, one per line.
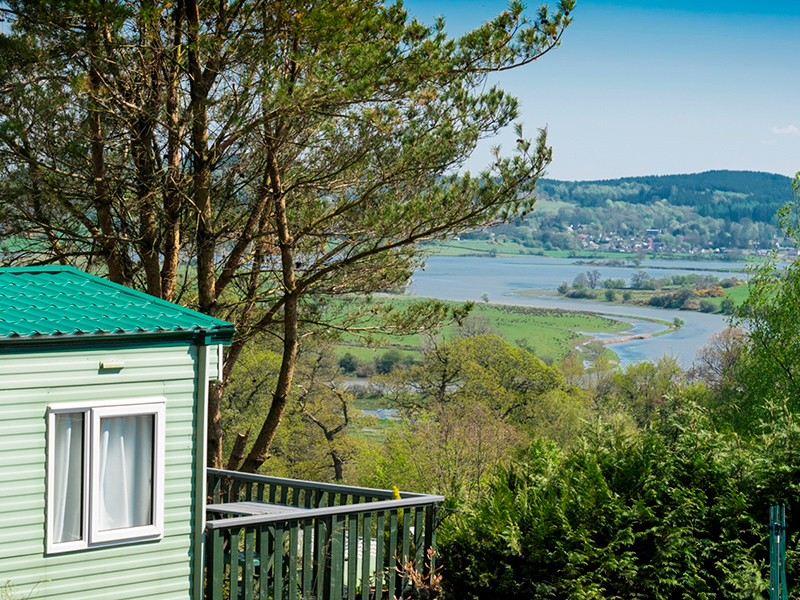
(659, 87)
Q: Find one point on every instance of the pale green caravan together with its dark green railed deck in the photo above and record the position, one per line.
(103, 484)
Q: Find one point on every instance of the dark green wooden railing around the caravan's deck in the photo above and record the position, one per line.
(342, 542)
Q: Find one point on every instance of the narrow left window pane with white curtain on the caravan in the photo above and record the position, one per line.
(67, 496)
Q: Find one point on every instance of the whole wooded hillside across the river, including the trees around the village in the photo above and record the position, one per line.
(723, 210)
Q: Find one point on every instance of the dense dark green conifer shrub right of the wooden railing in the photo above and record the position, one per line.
(676, 510)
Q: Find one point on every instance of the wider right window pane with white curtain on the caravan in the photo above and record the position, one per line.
(126, 472)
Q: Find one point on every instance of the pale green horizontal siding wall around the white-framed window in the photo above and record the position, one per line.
(28, 384)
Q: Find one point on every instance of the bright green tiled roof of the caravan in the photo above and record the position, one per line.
(64, 303)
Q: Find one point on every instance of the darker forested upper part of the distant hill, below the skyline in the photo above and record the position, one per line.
(731, 195)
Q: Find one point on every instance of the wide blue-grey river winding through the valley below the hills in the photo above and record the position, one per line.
(468, 278)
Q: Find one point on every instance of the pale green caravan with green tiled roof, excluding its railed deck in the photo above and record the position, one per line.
(102, 454)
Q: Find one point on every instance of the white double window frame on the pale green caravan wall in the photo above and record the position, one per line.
(93, 412)
